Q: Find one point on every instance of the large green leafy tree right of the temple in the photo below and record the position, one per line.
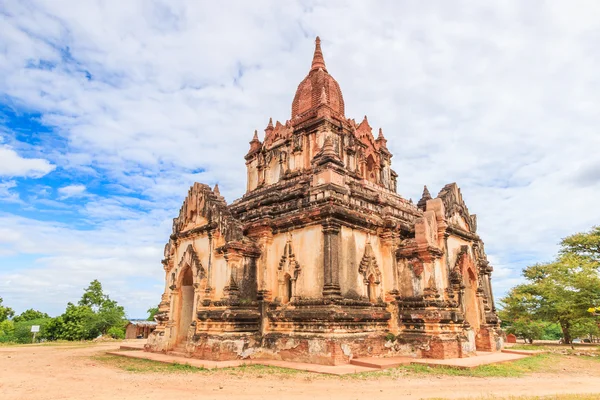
(561, 291)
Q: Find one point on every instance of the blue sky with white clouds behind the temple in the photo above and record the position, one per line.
(110, 110)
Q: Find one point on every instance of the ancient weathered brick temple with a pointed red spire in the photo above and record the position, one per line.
(321, 260)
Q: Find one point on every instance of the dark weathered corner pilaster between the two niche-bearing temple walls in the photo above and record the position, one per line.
(331, 268)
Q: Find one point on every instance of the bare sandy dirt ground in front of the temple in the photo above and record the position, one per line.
(71, 372)
